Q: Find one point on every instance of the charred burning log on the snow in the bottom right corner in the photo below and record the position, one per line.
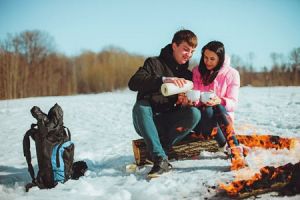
(284, 179)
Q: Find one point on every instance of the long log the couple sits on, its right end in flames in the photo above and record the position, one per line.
(192, 145)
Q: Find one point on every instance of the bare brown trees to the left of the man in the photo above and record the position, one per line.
(30, 66)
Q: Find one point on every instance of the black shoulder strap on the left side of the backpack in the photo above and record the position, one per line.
(26, 150)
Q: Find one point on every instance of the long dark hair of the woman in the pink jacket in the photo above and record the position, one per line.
(208, 76)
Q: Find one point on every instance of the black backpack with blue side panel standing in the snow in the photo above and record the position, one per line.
(54, 149)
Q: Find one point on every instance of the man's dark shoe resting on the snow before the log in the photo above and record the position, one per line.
(161, 165)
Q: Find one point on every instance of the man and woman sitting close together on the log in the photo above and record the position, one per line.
(164, 121)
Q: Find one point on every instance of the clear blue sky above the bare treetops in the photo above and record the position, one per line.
(144, 27)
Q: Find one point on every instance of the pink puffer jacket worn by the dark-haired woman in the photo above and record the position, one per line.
(226, 85)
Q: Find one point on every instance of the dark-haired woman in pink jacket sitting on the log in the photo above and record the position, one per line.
(214, 73)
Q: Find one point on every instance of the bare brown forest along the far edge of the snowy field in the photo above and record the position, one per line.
(30, 66)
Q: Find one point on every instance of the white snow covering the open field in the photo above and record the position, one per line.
(102, 130)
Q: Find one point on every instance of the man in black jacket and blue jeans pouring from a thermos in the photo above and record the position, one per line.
(156, 118)
